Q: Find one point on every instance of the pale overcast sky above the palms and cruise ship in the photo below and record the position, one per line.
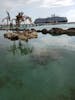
(38, 8)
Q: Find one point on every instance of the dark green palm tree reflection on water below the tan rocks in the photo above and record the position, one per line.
(20, 48)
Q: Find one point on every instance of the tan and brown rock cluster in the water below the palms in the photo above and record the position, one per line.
(25, 35)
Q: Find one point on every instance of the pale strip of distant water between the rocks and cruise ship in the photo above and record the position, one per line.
(38, 26)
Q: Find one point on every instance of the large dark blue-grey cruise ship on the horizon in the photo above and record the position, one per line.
(52, 19)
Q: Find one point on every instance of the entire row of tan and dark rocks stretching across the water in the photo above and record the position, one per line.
(29, 34)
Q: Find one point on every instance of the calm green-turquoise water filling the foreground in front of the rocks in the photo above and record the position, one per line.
(40, 69)
